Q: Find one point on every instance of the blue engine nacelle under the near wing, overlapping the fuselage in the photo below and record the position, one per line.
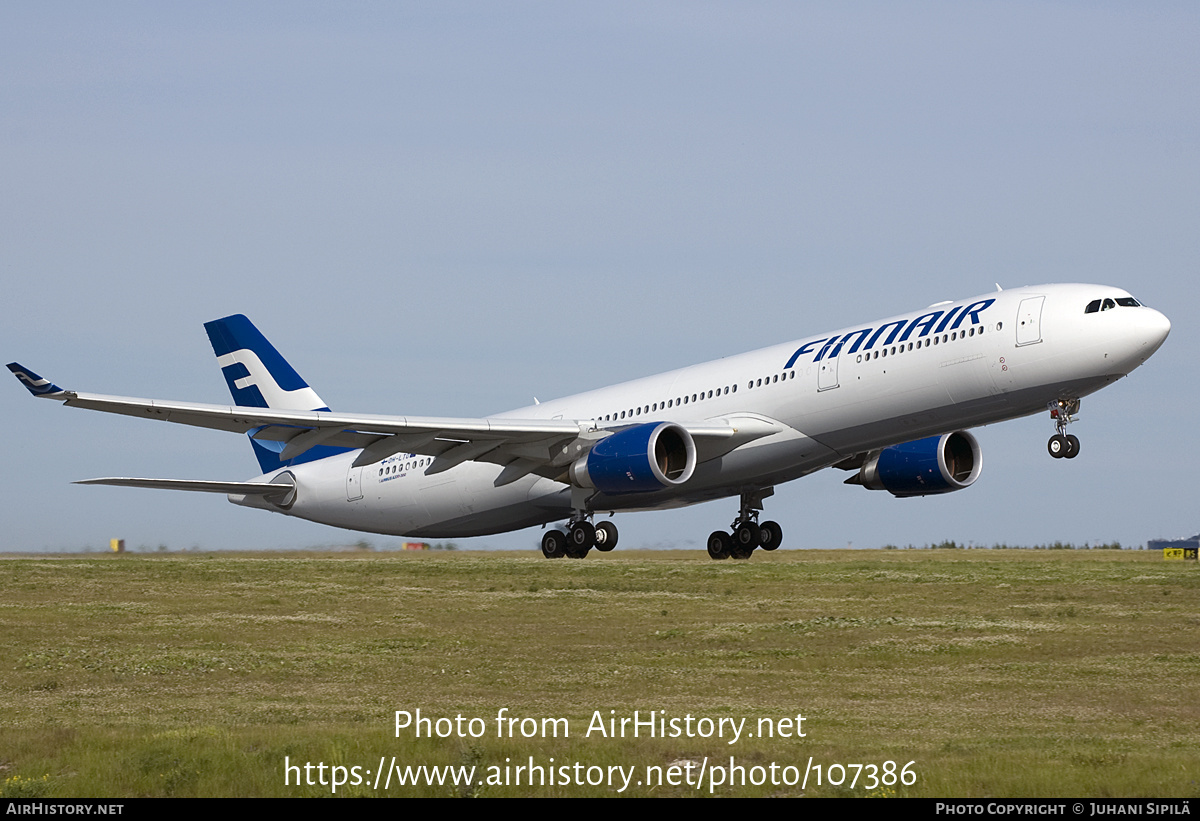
(638, 460)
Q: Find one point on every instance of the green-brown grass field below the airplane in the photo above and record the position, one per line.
(997, 673)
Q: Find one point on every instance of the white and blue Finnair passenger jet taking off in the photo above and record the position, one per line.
(889, 400)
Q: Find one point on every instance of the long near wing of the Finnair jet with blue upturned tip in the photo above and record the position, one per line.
(538, 446)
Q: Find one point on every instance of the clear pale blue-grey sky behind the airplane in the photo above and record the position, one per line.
(446, 209)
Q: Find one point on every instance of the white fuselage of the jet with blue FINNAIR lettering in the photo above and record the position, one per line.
(826, 398)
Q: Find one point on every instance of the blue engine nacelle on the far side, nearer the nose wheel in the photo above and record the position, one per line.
(938, 465)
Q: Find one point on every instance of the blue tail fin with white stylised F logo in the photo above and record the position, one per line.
(260, 377)
